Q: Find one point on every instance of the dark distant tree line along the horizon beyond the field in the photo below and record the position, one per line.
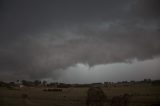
(38, 83)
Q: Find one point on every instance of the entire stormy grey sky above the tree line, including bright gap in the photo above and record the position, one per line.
(79, 41)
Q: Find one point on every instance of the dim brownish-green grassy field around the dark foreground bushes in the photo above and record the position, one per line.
(141, 96)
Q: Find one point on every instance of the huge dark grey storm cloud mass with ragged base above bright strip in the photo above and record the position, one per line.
(37, 47)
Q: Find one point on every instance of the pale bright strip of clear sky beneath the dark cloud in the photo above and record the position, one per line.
(104, 72)
